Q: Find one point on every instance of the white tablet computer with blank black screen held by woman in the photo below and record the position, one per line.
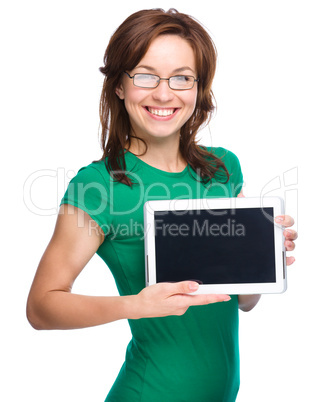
(228, 245)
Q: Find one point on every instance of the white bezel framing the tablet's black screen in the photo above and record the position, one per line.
(276, 203)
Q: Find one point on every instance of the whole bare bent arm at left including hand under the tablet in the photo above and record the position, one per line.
(51, 305)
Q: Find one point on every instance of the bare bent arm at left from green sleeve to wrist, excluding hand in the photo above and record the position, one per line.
(51, 305)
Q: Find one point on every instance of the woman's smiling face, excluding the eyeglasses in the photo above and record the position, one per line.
(158, 113)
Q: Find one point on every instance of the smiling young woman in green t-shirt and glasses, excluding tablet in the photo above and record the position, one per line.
(159, 68)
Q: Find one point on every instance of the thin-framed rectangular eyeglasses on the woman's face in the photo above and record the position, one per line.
(177, 82)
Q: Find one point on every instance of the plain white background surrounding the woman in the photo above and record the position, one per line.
(267, 89)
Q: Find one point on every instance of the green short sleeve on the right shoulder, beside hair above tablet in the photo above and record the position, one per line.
(233, 166)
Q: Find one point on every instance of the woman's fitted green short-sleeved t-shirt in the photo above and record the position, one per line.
(188, 358)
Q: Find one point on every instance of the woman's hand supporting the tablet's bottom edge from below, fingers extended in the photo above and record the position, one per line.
(164, 299)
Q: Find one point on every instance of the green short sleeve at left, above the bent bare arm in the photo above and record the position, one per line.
(88, 191)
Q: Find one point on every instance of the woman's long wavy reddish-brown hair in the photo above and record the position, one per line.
(126, 48)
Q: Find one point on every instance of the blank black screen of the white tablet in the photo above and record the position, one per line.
(215, 246)
